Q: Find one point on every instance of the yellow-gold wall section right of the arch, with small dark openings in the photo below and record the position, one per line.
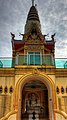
(61, 83)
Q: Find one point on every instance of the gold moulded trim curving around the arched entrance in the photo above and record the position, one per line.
(23, 80)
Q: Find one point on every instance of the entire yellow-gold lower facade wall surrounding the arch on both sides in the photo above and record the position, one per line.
(10, 77)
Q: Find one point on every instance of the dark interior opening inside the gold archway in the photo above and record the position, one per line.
(34, 99)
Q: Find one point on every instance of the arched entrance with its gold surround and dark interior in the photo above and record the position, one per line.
(35, 92)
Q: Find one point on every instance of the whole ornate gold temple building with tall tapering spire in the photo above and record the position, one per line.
(33, 88)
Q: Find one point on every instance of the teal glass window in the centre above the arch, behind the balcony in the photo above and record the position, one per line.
(34, 58)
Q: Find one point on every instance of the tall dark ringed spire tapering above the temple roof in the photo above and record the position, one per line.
(32, 18)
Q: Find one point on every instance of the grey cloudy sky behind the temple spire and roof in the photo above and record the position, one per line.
(53, 18)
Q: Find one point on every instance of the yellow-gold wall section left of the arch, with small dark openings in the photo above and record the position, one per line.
(6, 97)
